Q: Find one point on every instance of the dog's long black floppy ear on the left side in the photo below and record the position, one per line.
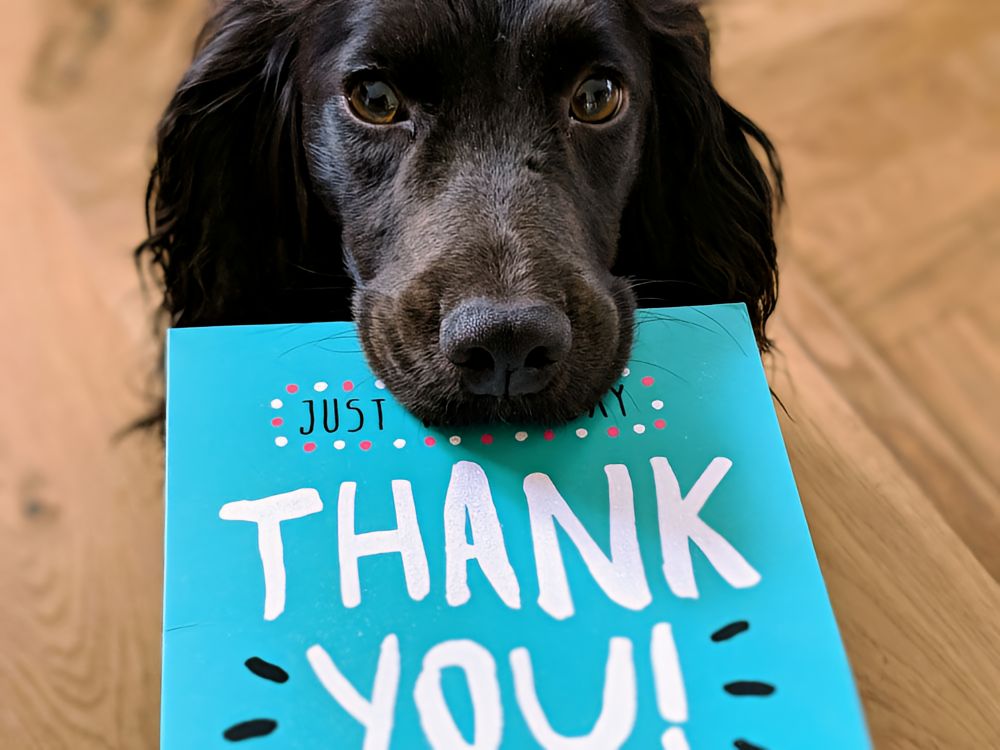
(230, 211)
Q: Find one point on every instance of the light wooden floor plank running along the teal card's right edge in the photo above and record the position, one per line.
(918, 613)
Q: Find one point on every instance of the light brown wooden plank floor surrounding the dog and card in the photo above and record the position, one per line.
(887, 113)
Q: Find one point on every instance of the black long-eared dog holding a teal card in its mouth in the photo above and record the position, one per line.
(481, 183)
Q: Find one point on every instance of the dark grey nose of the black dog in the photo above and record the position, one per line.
(505, 348)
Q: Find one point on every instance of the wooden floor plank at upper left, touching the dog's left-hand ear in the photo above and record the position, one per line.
(97, 79)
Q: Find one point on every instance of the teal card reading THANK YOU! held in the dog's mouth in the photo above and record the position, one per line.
(338, 575)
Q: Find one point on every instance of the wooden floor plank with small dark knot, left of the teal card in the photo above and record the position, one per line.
(80, 528)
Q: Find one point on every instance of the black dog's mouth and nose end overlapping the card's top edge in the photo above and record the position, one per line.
(523, 360)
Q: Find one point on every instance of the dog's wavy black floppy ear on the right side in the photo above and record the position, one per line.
(699, 227)
